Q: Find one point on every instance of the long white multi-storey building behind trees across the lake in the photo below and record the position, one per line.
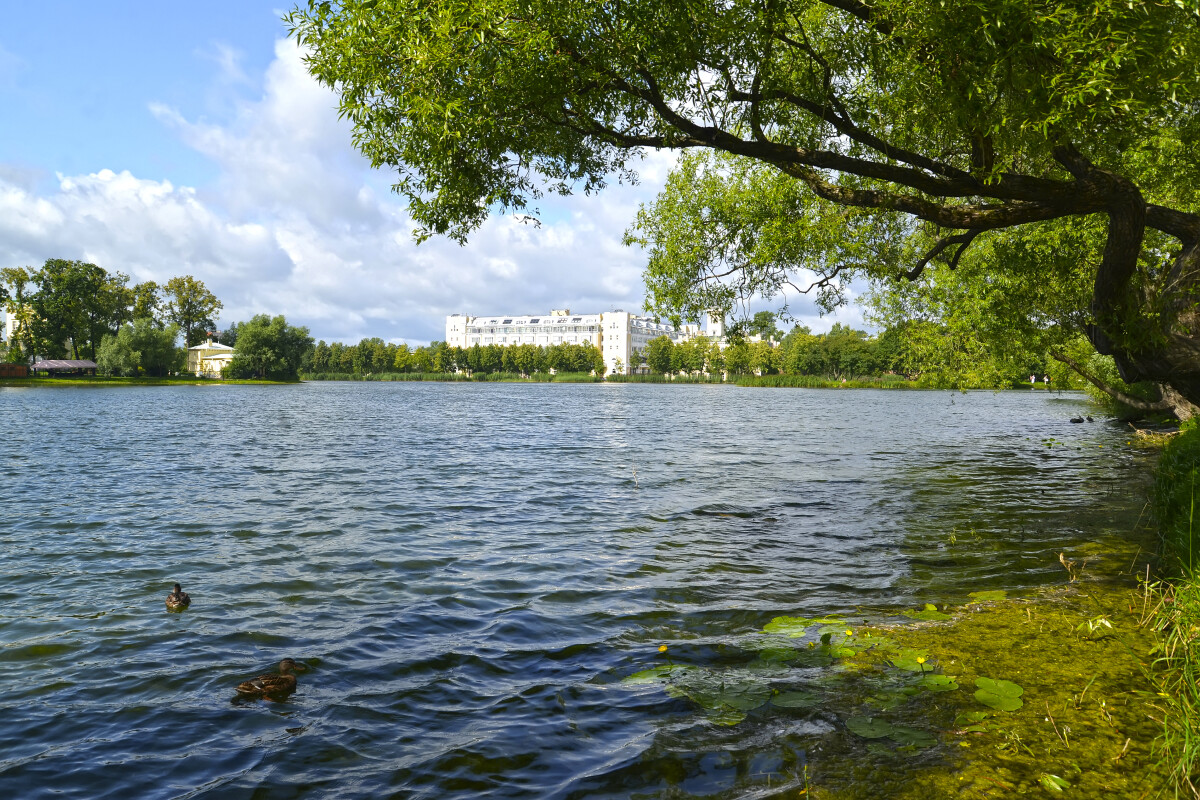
(617, 334)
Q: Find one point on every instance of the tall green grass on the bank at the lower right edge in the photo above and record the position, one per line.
(1177, 618)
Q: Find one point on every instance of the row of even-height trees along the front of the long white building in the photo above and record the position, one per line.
(376, 357)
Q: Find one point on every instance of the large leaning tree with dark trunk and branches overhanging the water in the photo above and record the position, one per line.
(933, 123)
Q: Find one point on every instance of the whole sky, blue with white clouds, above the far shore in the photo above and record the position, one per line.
(169, 139)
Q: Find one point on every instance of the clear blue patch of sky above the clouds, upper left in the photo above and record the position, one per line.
(77, 79)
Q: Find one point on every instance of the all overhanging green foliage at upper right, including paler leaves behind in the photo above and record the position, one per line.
(850, 139)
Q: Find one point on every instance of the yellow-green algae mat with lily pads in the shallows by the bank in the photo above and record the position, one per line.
(904, 711)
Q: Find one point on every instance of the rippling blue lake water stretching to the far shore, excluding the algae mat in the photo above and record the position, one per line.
(471, 570)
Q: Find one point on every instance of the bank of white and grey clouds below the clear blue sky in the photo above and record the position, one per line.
(296, 222)
